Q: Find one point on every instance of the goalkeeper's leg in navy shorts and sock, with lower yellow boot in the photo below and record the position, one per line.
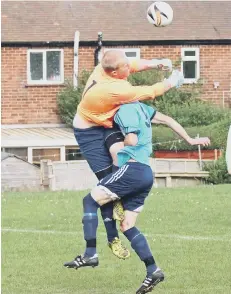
(92, 146)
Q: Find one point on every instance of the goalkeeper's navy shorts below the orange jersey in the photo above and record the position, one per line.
(94, 144)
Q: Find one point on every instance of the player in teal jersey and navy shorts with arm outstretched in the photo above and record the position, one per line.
(131, 183)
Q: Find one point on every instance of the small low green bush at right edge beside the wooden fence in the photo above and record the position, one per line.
(217, 172)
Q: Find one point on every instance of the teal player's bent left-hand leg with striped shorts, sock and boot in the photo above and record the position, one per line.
(107, 190)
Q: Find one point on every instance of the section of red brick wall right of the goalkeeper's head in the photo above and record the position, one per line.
(215, 65)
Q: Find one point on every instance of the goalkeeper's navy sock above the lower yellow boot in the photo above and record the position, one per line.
(109, 222)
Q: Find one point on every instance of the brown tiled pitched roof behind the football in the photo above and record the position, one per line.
(35, 21)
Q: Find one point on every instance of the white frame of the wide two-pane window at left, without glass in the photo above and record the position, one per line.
(45, 81)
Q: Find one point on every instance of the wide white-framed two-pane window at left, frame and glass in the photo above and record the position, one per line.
(45, 66)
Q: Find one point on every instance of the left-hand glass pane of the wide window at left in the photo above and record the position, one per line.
(36, 66)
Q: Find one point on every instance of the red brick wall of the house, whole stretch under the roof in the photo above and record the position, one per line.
(23, 104)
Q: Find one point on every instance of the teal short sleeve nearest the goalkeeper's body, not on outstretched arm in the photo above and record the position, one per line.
(128, 119)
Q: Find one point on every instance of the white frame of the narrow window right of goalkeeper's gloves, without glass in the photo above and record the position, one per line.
(191, 58)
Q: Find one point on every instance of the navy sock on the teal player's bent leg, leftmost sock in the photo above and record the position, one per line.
(90, 224)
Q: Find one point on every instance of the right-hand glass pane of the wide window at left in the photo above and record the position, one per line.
(53, 65)
